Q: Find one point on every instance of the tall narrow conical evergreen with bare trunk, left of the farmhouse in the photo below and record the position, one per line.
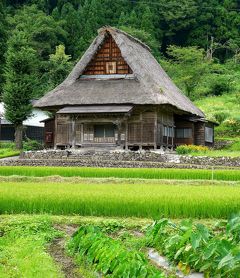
(19, 82)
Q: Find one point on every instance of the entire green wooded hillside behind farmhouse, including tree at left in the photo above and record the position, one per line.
(196, 41)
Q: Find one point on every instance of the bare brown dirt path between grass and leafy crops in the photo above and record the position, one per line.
(57, 251)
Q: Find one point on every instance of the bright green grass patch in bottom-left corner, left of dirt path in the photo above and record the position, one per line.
(23, 249)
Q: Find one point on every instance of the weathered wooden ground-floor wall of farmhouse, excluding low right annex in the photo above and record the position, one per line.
(144, 127)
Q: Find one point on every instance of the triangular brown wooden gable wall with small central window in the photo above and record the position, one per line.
(108, 60)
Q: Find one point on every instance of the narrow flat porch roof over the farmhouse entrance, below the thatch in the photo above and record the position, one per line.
(96, 109)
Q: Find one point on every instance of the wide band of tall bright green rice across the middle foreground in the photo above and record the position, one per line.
(121, 200)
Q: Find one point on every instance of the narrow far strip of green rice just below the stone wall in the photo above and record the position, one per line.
(143, 173)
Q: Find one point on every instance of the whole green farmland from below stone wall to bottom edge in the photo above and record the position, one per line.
(92, 222)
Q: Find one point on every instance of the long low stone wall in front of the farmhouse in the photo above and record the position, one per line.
(120, 159)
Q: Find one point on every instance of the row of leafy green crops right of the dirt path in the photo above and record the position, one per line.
(110, 256)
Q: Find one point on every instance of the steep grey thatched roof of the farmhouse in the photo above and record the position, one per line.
(150, 85)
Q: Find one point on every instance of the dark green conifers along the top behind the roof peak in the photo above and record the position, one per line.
(187, 22)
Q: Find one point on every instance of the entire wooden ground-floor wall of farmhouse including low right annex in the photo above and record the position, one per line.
(144, 127)
